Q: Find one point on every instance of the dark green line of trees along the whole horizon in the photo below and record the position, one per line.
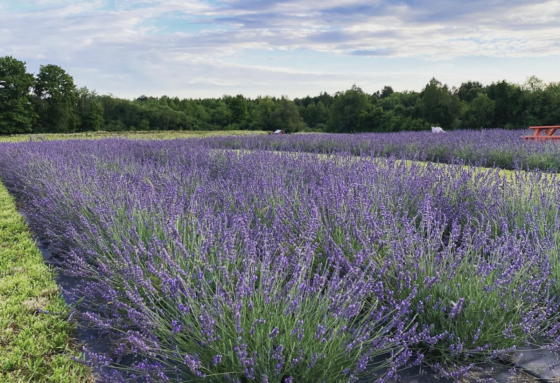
(49, 102)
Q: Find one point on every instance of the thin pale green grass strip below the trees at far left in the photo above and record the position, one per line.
(140, 135)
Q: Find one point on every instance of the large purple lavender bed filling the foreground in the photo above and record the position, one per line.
(219, 266)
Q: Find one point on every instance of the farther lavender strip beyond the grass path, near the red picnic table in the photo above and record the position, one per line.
(493, 147)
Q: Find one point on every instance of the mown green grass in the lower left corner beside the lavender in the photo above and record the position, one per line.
(34, 346)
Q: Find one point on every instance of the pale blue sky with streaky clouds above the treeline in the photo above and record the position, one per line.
(209, 48)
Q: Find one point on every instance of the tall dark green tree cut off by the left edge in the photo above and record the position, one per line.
(16, 111)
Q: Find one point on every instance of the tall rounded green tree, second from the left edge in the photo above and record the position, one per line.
(56, 103)
